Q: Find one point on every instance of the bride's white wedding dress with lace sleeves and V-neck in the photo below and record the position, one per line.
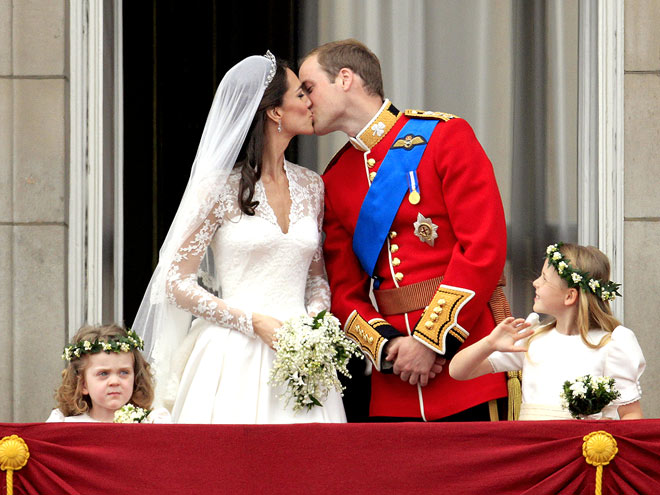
(259, 269)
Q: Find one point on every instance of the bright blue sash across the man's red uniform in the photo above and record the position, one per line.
(387, 191)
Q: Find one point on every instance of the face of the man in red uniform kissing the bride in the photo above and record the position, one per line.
(324, 95)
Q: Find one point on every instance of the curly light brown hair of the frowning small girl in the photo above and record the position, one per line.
(69, 396)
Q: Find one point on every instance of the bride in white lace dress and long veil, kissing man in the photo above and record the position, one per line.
(242, 255)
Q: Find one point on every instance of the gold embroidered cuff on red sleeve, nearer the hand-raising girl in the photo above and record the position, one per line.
(440, 319)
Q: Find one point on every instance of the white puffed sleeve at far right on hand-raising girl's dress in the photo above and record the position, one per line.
(625, 363)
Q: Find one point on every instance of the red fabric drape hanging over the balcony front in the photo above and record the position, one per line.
(471, 458)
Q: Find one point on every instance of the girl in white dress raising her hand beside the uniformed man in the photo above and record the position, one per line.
(582, 339)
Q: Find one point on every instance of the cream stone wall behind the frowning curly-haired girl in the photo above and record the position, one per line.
(33, 189)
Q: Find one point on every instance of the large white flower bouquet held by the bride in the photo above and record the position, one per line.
(310, 353)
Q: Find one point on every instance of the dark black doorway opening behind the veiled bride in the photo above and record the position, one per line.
(175, 54)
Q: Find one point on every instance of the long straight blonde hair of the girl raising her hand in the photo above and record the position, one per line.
(593, 312)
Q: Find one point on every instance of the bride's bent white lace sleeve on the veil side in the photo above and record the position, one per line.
(183, 290)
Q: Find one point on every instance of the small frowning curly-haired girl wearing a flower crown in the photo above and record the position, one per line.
(106, 373)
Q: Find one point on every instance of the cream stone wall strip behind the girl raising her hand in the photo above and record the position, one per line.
(642, 180)
